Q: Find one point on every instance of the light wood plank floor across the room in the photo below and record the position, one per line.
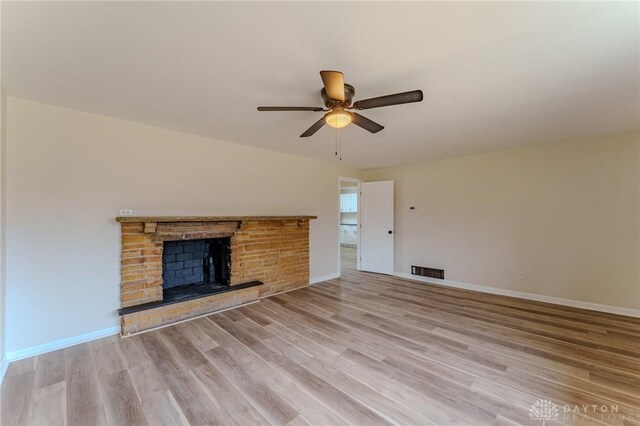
(365, 349)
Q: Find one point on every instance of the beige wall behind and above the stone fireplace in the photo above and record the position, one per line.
(68, 175)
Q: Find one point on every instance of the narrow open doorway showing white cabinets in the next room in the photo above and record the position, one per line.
(348, 239)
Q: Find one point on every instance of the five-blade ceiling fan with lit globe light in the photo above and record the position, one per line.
(337, 98)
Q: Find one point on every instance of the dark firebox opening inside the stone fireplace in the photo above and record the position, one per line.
(195, 267)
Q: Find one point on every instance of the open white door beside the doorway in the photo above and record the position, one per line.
(376, 226)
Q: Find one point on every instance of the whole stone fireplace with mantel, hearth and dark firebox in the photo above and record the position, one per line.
(167, 264)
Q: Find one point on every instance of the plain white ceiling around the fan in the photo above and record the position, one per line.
(494, 74)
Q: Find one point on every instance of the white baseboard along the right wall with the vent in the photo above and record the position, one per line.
(522, 295)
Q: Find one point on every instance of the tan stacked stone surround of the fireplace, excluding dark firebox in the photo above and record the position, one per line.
(271, 249)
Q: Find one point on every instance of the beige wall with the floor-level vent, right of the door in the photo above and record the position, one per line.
(566, 214)
